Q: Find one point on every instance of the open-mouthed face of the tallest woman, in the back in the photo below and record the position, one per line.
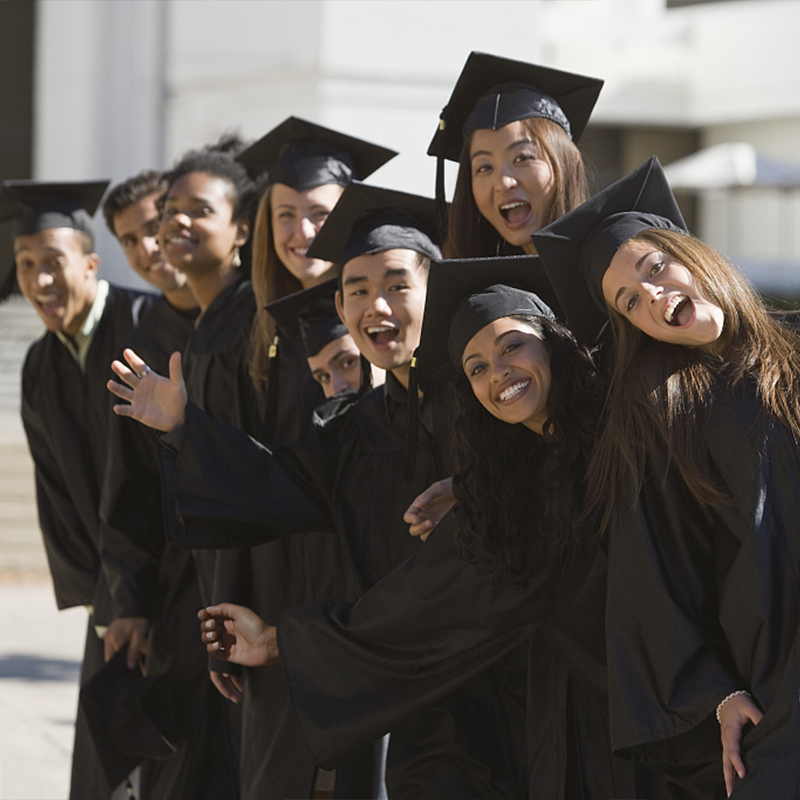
(512, 181)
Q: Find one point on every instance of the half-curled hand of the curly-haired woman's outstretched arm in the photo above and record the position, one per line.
(238, 635)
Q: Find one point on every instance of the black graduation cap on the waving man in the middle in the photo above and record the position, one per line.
(370, 219)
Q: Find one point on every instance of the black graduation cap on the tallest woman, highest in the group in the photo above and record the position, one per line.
(493, 91)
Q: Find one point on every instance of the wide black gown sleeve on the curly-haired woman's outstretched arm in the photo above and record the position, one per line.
(355, 670)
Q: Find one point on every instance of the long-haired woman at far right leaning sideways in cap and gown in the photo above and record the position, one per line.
(696, 469)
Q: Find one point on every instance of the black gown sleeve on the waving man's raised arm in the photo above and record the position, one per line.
(223, 489)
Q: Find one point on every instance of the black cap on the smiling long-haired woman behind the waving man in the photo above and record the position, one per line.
(304, 155)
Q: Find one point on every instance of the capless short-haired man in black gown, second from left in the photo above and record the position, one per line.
(155, 594)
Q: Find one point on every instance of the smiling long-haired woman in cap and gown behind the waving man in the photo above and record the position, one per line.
(308, 166)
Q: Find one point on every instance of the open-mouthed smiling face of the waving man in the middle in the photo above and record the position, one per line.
(381, 303)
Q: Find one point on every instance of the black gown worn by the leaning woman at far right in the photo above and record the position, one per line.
(705, 601)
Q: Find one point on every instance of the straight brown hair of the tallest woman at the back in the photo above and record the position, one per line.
(469, 235)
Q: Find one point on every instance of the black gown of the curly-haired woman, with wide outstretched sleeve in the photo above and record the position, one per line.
(354, 670)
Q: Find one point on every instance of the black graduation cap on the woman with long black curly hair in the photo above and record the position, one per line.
(466, 294)
